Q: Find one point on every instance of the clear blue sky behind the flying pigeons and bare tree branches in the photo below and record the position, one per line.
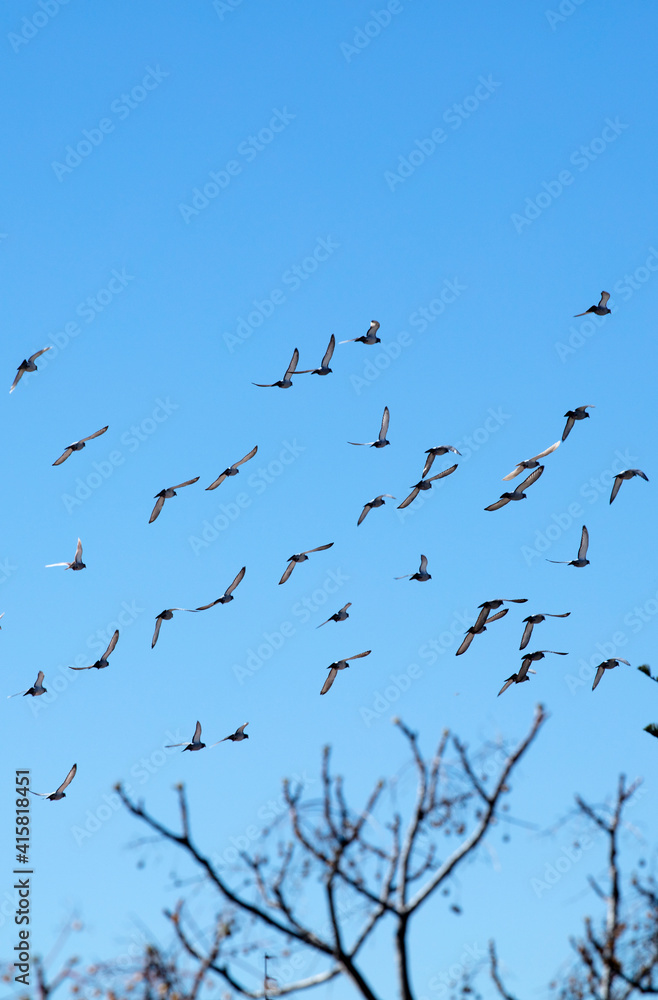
(252, 180)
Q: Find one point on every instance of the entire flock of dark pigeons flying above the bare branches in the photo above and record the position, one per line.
(485, 616)
